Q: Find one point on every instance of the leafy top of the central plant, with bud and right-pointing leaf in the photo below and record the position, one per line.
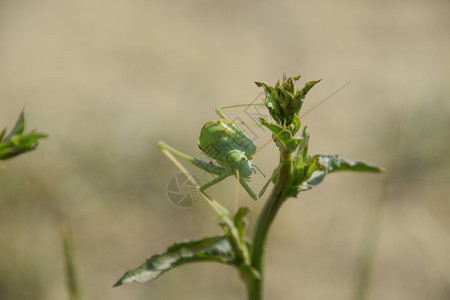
(284, 102)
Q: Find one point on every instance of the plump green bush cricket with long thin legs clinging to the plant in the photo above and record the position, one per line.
(231, 148)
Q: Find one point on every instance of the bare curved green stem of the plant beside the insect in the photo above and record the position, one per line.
(265, 219)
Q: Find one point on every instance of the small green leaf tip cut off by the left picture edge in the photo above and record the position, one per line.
(17, 142)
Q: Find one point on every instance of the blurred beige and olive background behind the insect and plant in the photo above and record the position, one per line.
(108, 79)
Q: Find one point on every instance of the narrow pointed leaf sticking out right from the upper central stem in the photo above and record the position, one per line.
(334, 163)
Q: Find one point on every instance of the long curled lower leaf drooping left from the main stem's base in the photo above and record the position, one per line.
(212, 249)
